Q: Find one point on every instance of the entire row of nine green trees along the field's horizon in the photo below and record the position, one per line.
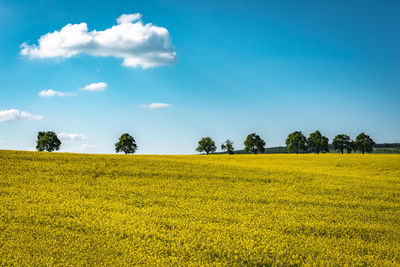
(295, 142)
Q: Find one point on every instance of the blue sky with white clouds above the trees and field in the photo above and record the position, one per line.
(171, 72)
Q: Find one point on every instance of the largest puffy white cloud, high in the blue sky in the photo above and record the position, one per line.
(138, 44)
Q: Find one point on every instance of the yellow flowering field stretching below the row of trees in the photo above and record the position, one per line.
(73, 209)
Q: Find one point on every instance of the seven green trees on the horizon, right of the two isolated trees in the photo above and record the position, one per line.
(295, 142)
